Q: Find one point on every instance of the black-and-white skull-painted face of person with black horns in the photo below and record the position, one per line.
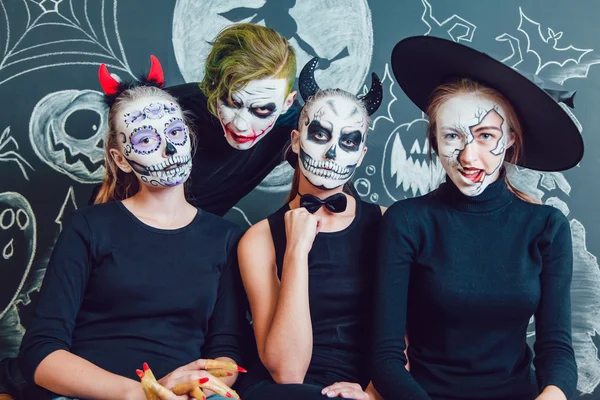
(332, 141)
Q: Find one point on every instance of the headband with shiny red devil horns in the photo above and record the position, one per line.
(112, 88)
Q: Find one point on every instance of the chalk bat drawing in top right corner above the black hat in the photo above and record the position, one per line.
(551, 60)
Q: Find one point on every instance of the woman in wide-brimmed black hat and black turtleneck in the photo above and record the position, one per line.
(463, 268)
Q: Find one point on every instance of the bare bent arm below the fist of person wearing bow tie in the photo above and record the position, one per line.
(280, 310)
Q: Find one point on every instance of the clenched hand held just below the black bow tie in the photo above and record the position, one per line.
(301, 228)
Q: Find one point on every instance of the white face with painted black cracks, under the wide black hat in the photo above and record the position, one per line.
(472, 138)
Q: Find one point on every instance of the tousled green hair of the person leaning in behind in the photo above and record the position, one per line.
(242, 53)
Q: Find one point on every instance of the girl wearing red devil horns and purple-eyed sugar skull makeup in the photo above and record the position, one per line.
(141, 276)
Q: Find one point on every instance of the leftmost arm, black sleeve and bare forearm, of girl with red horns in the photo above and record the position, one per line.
(44, 356)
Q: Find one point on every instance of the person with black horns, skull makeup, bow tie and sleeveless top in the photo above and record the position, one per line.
(305, 268)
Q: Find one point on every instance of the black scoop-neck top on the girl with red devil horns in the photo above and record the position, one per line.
(118, 293)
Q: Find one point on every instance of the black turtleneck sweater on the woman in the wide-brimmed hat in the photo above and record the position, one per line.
(462, 276)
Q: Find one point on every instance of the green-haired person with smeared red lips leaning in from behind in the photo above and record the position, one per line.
(243, 112)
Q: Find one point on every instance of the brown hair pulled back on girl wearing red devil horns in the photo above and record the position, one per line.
(118, 185)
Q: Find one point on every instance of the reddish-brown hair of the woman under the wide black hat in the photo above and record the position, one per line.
(464, 85)
